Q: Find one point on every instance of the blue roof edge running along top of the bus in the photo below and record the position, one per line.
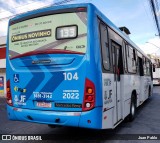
(67, 6)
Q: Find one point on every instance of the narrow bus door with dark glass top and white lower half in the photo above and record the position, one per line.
(117, 63)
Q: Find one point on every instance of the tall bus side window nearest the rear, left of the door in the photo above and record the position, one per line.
(105, 46)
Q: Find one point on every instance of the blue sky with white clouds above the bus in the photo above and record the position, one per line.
(134, 14)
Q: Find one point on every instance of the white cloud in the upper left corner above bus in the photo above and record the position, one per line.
(11, 7)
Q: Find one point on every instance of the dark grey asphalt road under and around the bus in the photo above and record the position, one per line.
(147, 121)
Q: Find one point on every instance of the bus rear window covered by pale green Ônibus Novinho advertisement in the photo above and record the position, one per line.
(66, 31)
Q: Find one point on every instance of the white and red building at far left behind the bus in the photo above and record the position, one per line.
(2, 65)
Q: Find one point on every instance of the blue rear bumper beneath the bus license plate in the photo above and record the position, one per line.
(89, 119)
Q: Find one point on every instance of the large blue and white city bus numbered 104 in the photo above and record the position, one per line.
(71, 66)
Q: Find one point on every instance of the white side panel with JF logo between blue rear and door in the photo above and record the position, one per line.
(108, 100)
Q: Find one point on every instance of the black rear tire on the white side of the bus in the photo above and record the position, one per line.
(132, 109)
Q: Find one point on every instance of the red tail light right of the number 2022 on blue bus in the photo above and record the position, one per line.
(89, 96)
